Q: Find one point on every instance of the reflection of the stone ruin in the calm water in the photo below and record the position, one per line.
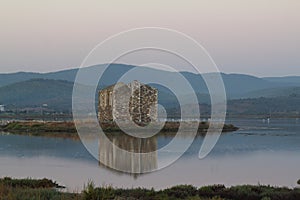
(120, 155)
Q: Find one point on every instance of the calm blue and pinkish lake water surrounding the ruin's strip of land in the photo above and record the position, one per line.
(258, 153)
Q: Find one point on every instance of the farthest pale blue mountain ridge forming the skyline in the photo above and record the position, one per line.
(236, 85)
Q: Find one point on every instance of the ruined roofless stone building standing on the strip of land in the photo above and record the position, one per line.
(134, 101)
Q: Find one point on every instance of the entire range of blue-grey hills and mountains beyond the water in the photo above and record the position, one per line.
(246, 94)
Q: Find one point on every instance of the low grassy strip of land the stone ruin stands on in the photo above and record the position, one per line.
(68, 130)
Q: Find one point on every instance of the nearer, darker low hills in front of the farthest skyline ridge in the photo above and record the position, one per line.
(57, 94)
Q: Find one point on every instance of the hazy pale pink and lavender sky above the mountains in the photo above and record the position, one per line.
(259, 37)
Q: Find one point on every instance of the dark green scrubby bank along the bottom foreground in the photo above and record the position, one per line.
(28, 189)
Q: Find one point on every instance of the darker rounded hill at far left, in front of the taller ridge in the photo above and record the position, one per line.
(36, 92)
